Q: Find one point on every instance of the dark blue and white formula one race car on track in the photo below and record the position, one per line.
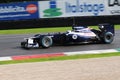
(78, 34)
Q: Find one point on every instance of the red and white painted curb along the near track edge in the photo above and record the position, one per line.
(23, 57)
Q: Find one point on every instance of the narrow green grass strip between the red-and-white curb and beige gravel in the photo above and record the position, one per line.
(73, 57)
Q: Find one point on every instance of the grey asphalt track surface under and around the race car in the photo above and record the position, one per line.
(10, 46)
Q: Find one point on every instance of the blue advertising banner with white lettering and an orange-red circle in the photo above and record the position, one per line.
(19, 11)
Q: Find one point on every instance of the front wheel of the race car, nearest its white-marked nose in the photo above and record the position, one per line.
(46, 41)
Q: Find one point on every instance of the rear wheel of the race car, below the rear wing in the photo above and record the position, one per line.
(108, 38)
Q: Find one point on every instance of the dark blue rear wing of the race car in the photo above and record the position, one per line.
(106, 27)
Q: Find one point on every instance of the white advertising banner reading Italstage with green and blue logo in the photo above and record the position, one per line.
(69, 8)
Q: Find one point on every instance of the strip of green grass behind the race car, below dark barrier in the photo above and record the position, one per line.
(42, 30)
